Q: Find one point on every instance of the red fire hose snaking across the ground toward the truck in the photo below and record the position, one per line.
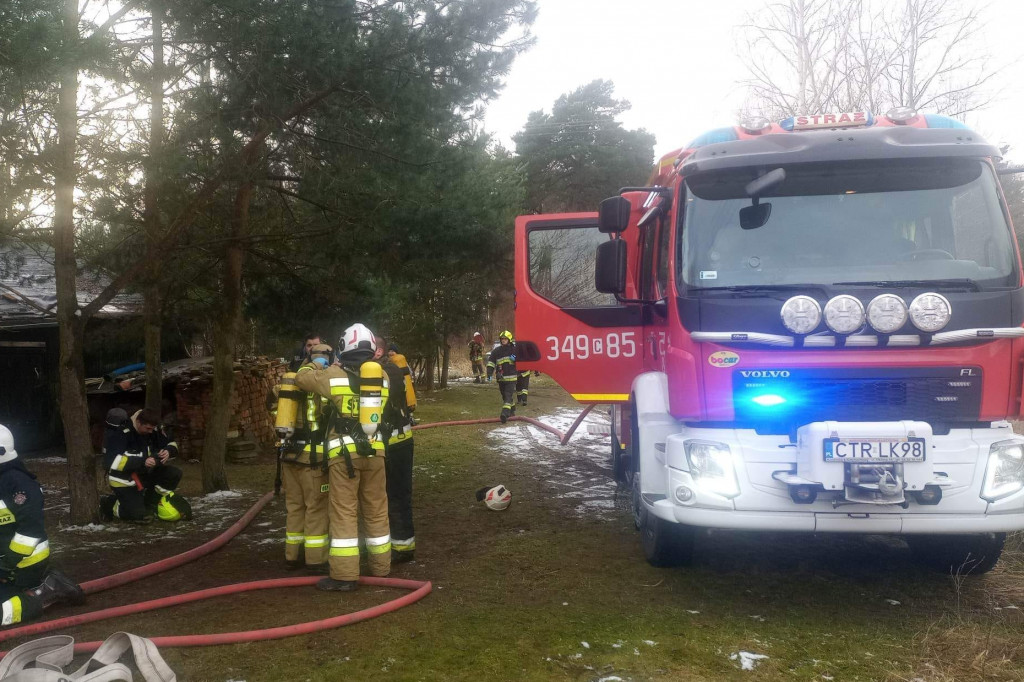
(418, 589)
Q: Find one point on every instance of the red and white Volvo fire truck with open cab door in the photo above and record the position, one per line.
(806, 326)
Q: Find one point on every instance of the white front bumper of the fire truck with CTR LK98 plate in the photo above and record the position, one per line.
(963, 482)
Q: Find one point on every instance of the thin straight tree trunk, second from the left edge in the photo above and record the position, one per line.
(152, 305)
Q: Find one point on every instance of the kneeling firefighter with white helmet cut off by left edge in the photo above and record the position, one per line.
(27, 584)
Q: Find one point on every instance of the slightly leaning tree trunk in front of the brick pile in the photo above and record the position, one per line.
(225, 340)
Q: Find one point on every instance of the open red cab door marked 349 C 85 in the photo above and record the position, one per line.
(585, 340)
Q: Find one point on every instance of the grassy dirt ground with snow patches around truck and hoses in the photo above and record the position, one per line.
(557, 587)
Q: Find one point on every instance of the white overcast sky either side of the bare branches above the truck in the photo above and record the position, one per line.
(677, 63)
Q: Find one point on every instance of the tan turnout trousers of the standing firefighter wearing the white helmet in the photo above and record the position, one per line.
(366, 493)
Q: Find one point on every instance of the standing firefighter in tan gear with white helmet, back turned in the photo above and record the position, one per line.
(359, 392)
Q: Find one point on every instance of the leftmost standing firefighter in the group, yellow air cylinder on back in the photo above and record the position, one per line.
(303, 468)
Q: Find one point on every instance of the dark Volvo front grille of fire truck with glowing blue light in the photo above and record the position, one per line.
(801, 397)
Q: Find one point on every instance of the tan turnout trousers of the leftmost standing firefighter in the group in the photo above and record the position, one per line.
(307, 494)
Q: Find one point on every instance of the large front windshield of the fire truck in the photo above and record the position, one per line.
(900, 221)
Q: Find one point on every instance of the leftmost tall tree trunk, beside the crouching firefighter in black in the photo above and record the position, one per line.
(71, 326)
